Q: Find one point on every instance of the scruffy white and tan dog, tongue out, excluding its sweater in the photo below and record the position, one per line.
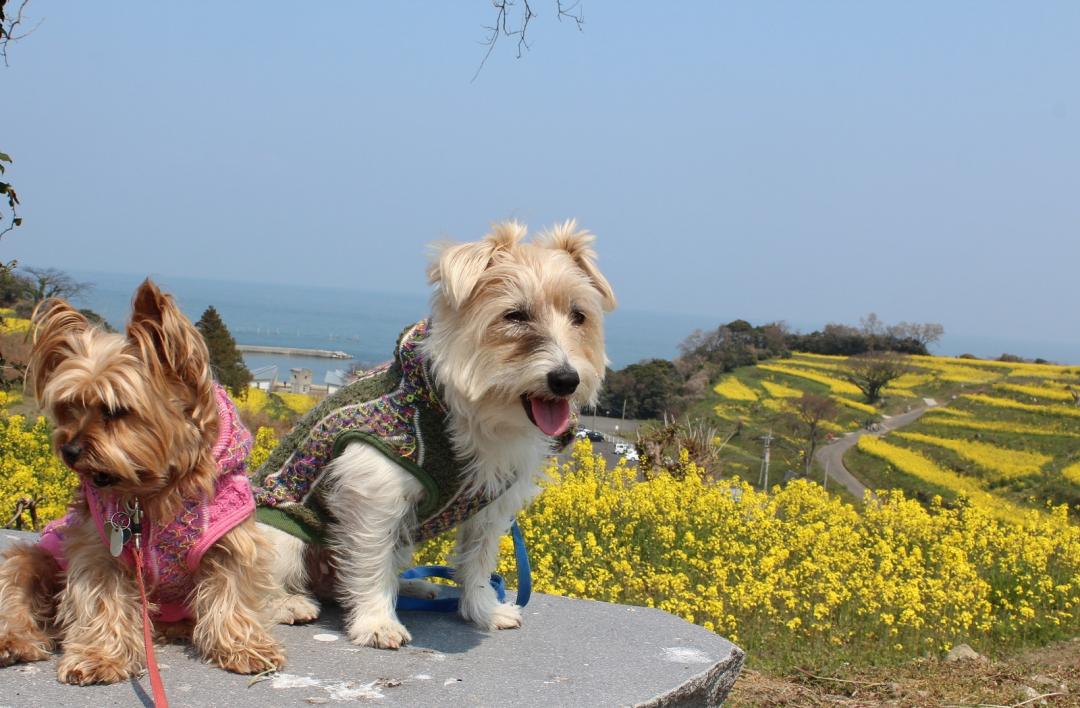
(516, 342)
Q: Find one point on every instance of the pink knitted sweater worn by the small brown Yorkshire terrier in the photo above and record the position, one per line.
(174, 548)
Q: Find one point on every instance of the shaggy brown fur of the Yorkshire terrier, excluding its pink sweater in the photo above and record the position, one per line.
(136, 416)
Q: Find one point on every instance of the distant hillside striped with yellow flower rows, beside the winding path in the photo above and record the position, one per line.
(1005, 430)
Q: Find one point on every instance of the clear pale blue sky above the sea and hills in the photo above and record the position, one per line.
(811, 162)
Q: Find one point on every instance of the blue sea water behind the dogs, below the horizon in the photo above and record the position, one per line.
(361, 323)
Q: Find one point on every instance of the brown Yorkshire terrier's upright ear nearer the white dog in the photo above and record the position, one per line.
(167, 342)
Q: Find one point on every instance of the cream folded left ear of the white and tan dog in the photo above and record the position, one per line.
(457, 268)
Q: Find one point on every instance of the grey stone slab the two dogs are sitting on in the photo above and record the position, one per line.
(569, 653)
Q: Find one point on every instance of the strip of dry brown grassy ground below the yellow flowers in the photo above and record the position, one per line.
(1050, 673)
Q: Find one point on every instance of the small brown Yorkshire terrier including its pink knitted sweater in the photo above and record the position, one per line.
(159, 452)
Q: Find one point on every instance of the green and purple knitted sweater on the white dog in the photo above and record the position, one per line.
(394, 409)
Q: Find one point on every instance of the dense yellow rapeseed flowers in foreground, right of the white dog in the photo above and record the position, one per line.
(795, 575)
